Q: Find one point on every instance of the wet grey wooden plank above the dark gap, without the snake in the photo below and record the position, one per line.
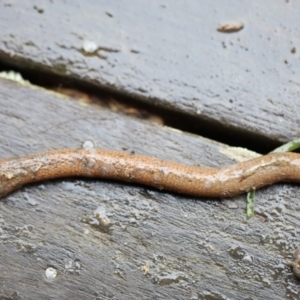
(171, 55)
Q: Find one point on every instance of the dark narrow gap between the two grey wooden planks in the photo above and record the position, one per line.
(203, 127)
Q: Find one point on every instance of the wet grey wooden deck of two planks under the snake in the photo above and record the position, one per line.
(110, 240)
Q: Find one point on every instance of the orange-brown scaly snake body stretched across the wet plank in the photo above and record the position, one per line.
(171, 176)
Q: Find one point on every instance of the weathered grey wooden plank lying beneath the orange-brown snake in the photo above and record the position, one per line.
(110, 240)
